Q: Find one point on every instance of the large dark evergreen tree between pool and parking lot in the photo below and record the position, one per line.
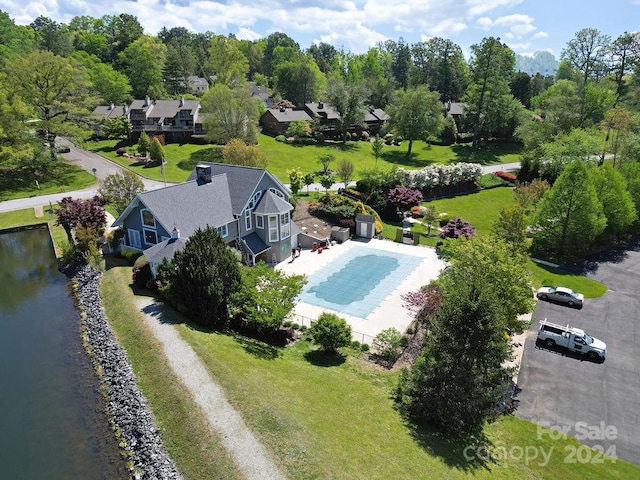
(457, 381)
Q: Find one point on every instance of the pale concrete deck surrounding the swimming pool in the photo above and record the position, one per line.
(390, 312)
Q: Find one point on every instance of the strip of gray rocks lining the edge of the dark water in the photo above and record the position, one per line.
(131, 419)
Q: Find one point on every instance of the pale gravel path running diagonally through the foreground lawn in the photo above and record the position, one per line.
(247, 452)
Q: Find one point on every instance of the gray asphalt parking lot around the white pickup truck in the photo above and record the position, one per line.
(596, 402)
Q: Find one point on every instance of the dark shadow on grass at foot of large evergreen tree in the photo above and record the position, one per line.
(467, 454)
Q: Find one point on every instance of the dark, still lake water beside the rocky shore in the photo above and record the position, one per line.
(53, 421)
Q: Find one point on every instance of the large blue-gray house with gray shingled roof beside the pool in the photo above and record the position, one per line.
(249, 207)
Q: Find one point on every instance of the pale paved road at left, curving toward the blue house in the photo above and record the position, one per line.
(87, 160)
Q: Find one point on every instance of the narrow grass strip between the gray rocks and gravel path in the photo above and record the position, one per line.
(196, 449)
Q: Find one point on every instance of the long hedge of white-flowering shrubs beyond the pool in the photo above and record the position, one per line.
(439, 175)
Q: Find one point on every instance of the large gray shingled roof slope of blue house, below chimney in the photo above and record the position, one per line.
(189, 205)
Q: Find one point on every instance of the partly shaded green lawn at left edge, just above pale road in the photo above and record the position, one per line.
(68, 177)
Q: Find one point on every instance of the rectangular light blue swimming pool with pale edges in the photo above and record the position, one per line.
(356, 282)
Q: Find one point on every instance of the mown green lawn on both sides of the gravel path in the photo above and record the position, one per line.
(321, 418)
